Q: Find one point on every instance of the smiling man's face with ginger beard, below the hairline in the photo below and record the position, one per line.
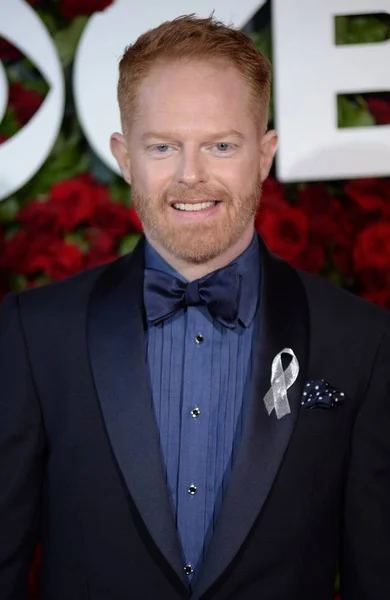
(194, 159)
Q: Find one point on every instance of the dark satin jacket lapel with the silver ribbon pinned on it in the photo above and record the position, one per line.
(283, 323)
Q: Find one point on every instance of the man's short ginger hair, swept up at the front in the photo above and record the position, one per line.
(194, 39)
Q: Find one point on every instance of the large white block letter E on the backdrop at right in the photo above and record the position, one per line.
(310, 71)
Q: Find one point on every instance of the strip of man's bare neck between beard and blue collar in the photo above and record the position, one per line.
(191, 271)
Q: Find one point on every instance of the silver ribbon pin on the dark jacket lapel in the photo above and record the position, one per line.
(281, 381)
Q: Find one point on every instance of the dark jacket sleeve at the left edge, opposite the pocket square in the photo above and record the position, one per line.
(21, 456)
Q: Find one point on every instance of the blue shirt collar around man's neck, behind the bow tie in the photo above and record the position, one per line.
(248, 264)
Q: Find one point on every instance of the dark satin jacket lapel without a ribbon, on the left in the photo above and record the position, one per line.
(117, 354)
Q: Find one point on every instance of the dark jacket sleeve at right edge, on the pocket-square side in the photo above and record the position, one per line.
(365, 564)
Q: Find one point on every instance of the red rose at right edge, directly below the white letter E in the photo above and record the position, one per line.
(370, 194)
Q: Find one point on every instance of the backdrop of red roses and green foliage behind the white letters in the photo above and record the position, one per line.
(76, 213)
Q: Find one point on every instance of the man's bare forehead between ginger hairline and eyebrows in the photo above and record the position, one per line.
(189, 95)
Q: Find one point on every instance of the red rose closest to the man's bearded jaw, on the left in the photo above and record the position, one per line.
(113, 217)
